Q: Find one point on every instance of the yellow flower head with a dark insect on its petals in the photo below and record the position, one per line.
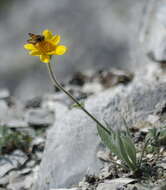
(45, 46)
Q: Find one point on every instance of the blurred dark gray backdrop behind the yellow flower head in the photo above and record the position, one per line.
(98, 34)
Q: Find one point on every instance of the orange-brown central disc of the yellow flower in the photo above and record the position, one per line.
(45, 46)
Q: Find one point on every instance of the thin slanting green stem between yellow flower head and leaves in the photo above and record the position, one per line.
(60, 87)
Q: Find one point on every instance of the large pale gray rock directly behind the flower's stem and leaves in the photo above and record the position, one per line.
(72, 142)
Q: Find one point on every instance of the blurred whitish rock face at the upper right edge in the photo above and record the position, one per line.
(155, 32)
